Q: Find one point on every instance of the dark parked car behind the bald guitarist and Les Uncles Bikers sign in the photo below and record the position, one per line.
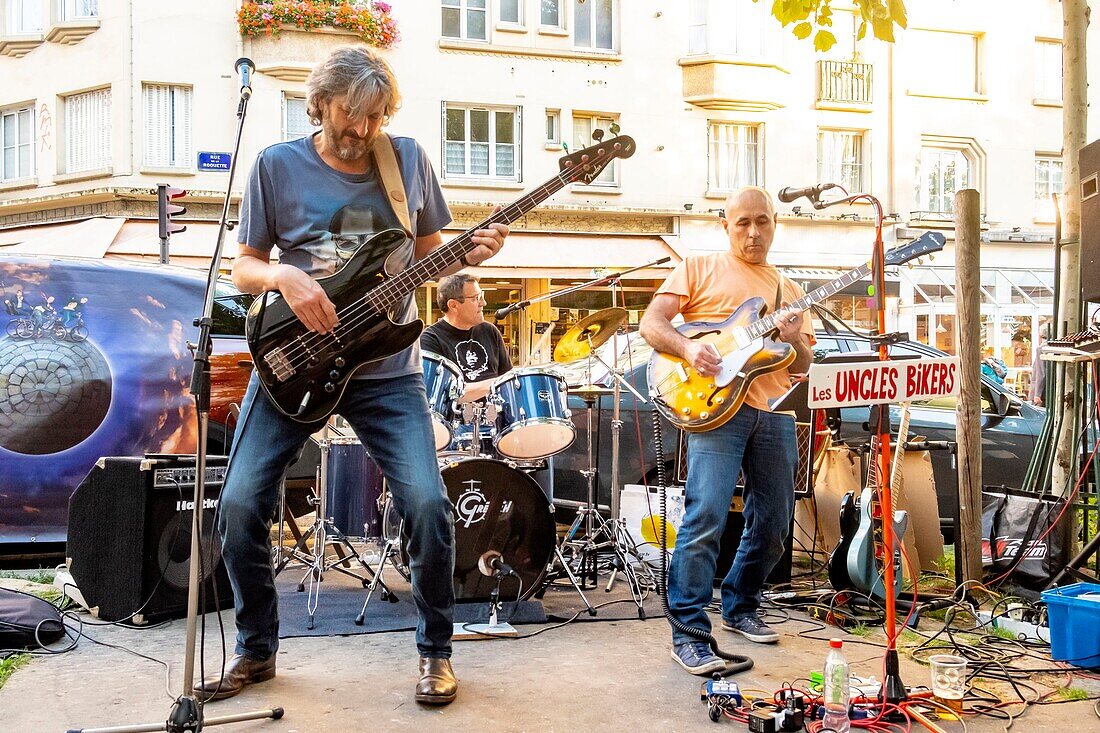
(1010, 428)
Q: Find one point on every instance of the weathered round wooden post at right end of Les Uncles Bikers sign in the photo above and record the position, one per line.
(969, 411)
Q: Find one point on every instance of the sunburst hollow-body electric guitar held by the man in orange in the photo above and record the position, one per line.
(746, 343)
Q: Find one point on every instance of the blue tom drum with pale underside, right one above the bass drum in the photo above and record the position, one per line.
(534, 421)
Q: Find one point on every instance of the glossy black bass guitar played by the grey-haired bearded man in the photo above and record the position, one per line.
(305, 374)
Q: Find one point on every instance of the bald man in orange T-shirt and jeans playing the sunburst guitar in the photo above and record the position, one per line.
(755, 441)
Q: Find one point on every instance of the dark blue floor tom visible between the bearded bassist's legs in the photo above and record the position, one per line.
(353, 488)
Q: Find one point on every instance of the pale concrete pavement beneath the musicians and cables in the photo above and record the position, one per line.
(603, 676)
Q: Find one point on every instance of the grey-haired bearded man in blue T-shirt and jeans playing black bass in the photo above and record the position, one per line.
(295, 192)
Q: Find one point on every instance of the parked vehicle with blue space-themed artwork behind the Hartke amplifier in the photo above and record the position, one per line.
(95, 363)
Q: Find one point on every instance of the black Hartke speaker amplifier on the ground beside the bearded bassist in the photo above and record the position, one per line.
(129, 540)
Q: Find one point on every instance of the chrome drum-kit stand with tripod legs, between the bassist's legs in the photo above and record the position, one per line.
(324, 532)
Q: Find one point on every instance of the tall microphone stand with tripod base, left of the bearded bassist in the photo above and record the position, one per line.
(186, 714)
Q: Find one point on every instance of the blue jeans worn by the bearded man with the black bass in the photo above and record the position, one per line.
(391, 419)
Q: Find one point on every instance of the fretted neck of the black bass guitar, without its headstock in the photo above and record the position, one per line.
(441, 259)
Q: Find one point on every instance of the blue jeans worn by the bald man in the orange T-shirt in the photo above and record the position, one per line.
(764, 446)
